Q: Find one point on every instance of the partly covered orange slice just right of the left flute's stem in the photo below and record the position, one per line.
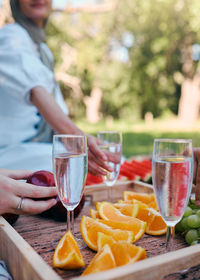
(90, 227)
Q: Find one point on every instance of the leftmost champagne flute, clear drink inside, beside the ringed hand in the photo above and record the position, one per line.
(70, 161)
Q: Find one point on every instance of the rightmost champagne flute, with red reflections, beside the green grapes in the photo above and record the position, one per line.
(172, 170)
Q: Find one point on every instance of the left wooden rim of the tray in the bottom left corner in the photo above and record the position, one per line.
(21, 259)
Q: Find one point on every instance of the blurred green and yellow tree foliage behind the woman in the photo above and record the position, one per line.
(150, 81)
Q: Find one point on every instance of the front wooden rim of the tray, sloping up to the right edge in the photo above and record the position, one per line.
(152, 268)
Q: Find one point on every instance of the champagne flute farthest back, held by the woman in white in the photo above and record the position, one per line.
(111, 143)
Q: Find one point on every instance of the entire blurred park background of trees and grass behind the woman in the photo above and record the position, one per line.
(129, 65)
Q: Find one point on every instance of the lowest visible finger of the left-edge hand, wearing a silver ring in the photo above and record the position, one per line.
(30, 206)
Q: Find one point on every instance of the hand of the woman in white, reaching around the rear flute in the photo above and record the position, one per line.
(96, 158)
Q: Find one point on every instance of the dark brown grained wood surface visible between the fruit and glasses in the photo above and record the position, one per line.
(43, 234)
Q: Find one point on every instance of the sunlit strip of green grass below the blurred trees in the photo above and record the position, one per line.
(138, 137)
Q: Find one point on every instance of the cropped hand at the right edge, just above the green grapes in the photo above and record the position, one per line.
(196, 175)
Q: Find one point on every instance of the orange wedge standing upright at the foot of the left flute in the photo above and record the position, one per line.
(67, 254)
